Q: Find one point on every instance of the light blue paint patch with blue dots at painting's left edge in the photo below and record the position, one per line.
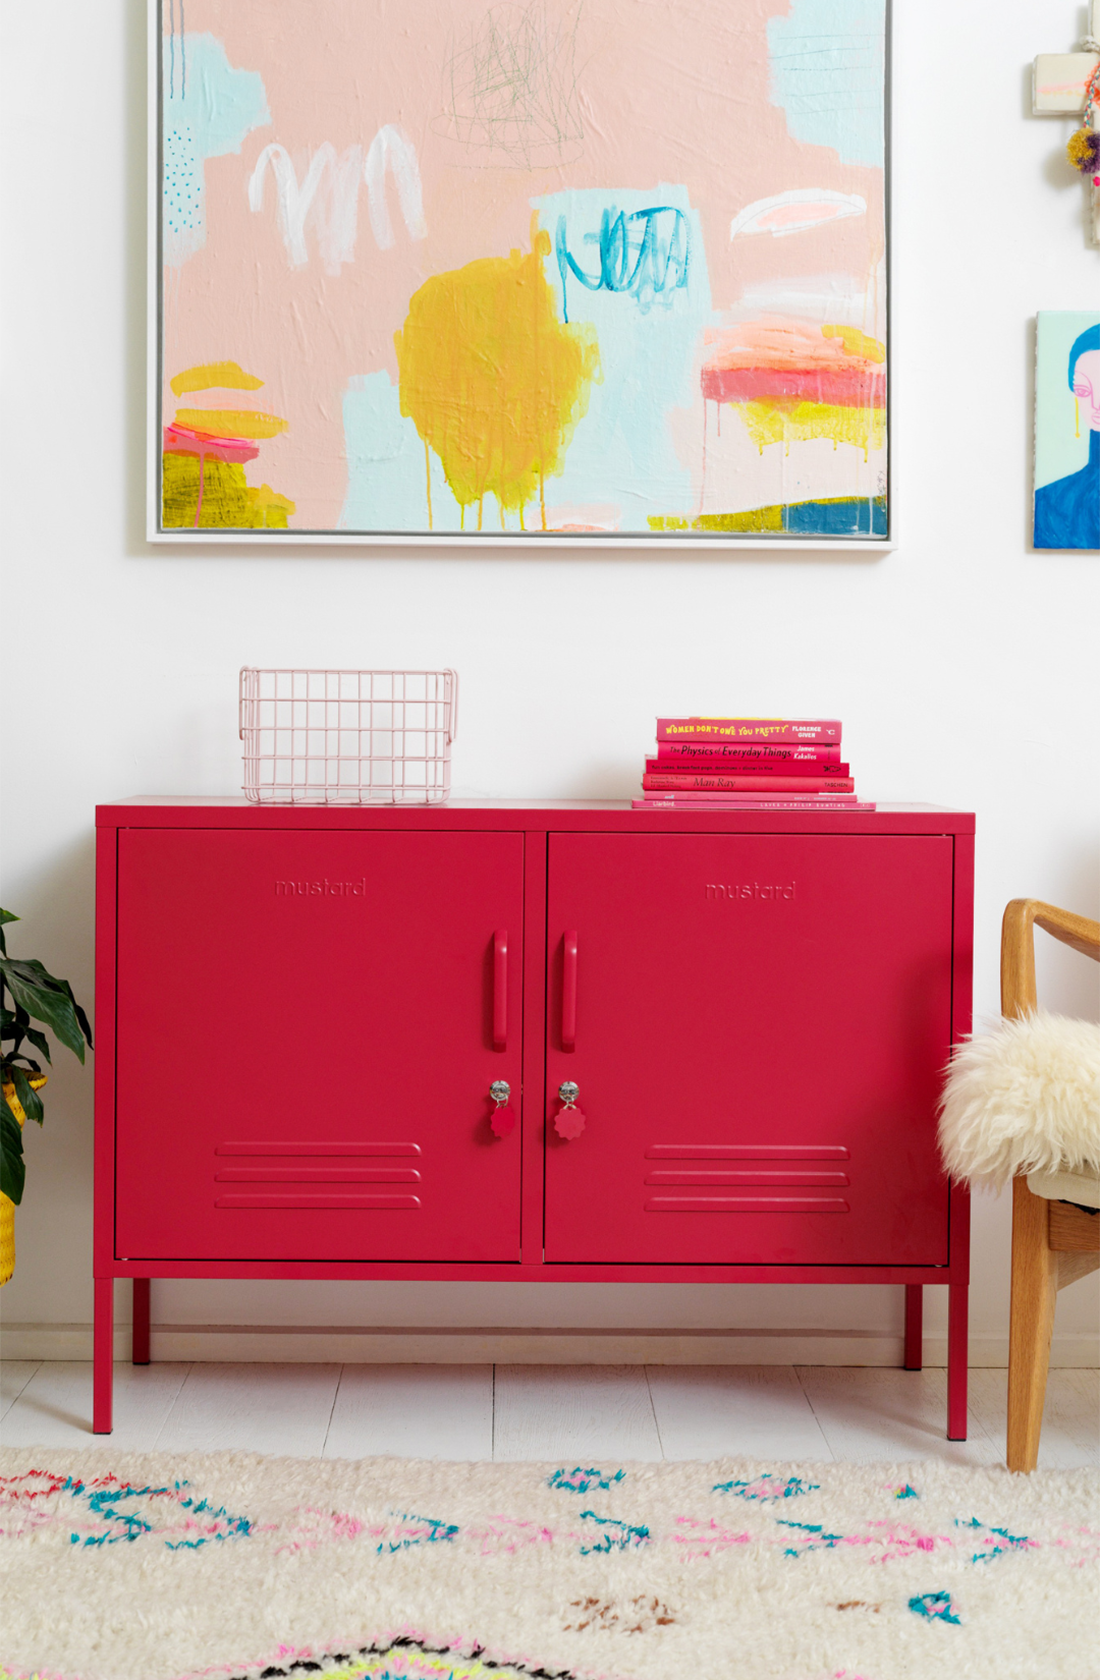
(206, 115)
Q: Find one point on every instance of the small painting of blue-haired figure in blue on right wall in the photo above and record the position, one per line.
(1067, 429)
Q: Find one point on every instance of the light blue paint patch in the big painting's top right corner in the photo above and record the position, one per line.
(829, 75)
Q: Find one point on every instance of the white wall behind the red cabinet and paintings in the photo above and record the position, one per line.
(965, 666)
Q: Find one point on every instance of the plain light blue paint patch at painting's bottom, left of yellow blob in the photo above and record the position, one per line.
(387, 475)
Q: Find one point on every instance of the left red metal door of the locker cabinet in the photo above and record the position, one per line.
(306, 1046)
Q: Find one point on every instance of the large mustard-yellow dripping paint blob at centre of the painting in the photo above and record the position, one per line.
(495, 382)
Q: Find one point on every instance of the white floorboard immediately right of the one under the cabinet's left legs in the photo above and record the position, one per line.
(259, 1409)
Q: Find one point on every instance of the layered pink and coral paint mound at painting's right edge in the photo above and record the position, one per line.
(780, 357)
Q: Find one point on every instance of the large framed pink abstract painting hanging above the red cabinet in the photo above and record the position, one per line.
(521, 271)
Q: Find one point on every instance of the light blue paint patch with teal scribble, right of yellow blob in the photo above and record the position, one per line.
(644, 286)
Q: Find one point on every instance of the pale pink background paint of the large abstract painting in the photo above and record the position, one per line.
(340, 73)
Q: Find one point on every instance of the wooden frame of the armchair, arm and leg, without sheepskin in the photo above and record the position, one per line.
(1054, 1242)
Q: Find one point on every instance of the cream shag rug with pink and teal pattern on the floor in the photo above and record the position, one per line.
(234, 1567)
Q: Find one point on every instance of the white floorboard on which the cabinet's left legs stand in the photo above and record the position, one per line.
(56, 1407)
